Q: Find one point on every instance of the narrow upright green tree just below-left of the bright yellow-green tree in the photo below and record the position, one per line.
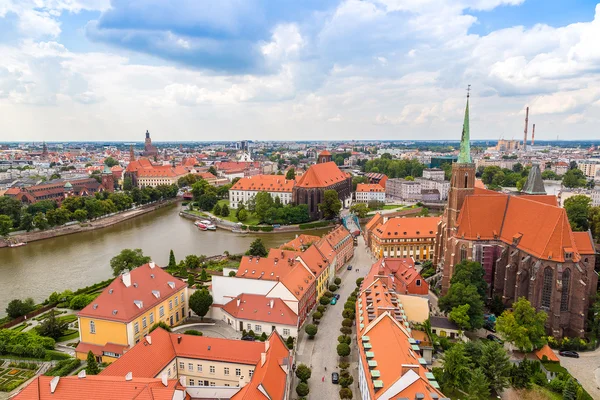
(495, 364)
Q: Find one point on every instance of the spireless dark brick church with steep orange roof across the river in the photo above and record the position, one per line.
(311, 186)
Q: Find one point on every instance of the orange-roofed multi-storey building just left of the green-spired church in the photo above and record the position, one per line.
(403, 237)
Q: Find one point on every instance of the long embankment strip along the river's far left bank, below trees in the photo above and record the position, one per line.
(99, 223)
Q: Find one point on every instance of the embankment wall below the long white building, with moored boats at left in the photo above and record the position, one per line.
(264, 229)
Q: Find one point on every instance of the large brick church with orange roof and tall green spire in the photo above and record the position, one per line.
(523, 241)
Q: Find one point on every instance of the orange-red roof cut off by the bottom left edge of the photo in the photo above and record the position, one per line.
(100, 388)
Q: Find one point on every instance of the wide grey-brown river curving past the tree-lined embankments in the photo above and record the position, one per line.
(79, 260)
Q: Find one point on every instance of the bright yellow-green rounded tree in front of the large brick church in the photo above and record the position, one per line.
(523, 326)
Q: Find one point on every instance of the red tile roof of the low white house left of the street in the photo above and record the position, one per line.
(257, 307)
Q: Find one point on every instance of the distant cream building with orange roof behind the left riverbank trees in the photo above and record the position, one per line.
(143, 173)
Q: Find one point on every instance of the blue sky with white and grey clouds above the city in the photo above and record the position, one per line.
(199, 70)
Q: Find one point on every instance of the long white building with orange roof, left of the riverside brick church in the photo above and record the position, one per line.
(247, 188)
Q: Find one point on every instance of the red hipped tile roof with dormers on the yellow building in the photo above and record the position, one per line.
(146, 284)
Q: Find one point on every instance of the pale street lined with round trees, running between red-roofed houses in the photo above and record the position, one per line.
(321, 352)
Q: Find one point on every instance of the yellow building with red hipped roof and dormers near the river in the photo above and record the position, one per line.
(126, 310)
